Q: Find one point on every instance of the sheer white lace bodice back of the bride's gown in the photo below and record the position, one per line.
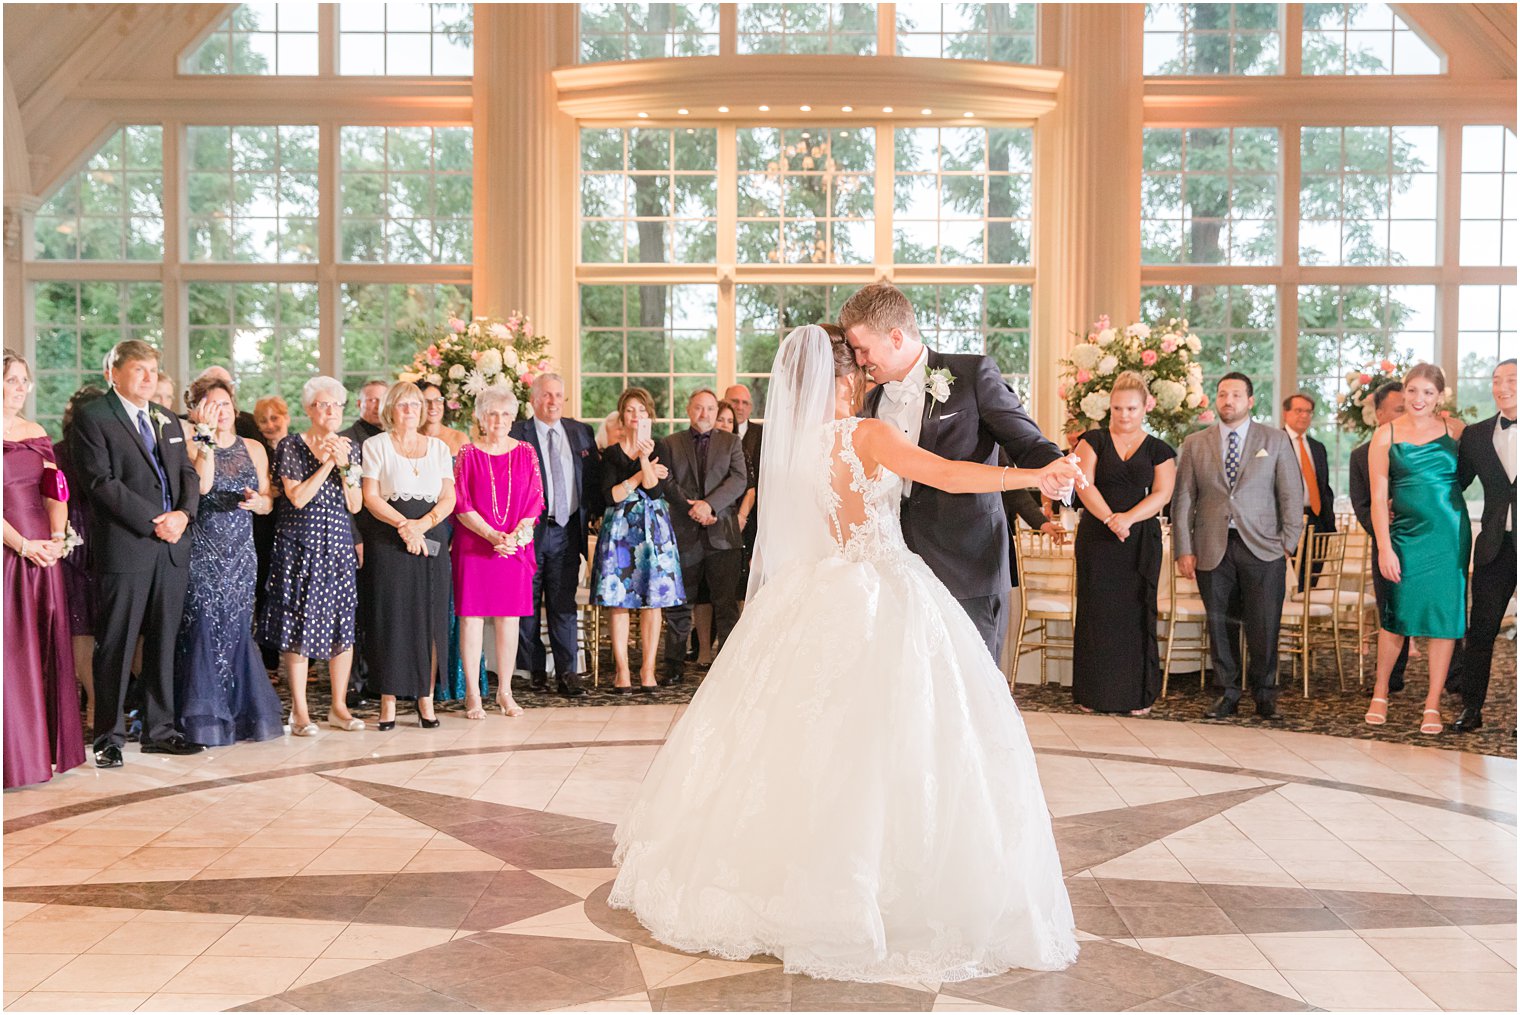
(863, 510)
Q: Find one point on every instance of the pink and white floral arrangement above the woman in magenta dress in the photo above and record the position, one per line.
(466, 358)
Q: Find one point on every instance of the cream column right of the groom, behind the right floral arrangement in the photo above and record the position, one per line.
(1088, 239)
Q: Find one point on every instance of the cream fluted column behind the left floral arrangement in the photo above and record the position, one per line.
(524, 172)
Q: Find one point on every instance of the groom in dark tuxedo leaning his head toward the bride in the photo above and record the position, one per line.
(960, 408)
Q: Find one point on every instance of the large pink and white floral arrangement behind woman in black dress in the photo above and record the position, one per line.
(1165, 356)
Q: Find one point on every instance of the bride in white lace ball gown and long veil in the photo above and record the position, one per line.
(852, 789)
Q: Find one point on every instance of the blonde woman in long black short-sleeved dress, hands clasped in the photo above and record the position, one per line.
(1116, 666)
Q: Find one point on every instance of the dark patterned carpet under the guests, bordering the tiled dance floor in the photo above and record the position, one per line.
(1328, 710)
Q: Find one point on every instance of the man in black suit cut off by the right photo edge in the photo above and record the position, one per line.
(1489, 454)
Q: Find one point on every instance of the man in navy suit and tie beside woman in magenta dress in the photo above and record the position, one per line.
(571, 469)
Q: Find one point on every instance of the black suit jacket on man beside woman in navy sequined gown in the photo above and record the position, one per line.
(124, 489)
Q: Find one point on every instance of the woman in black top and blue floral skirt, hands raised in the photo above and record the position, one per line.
(638, 561)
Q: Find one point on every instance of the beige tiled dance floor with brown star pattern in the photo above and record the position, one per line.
(1212, 867)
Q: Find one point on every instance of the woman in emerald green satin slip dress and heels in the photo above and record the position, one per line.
(1423, 539)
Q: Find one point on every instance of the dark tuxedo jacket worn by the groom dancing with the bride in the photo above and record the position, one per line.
(964, 537)
